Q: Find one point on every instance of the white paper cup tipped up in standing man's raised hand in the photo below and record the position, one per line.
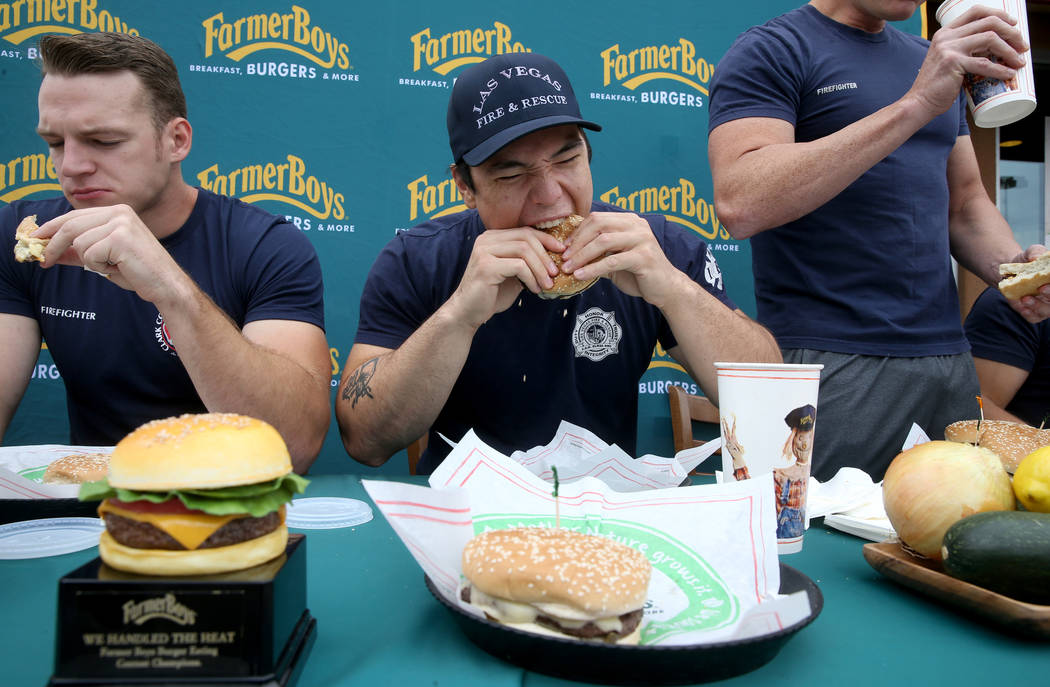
(994, 102)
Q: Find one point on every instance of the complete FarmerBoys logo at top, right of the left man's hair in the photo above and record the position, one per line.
(295, 33)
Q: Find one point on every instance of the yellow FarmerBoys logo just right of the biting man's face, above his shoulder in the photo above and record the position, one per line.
(678, 203)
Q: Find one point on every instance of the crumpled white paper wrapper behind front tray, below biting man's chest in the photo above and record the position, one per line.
(579, 453)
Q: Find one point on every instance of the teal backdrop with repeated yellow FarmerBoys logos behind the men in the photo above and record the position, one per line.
(333, 114)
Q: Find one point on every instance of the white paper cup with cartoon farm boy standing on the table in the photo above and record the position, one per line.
(768, 417)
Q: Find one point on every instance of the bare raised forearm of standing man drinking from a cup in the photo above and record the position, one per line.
(799, 178)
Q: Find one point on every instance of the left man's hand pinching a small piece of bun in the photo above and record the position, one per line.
(114, 242)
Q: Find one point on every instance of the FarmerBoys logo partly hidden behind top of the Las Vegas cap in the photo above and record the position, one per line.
(443, 54)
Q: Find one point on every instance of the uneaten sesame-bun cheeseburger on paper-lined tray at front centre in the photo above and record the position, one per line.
(558, 582)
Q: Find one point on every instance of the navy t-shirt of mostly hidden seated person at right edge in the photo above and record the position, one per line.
(998, 334)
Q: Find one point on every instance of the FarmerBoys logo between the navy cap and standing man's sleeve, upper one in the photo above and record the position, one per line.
(682, 74)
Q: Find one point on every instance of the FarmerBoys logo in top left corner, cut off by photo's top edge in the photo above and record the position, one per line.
(25, 19)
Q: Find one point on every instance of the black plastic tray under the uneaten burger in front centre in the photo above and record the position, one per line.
(613, 664)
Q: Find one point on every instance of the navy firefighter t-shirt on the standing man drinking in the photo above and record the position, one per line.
(870, 273)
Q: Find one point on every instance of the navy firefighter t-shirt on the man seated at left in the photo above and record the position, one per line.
(119, 362)
